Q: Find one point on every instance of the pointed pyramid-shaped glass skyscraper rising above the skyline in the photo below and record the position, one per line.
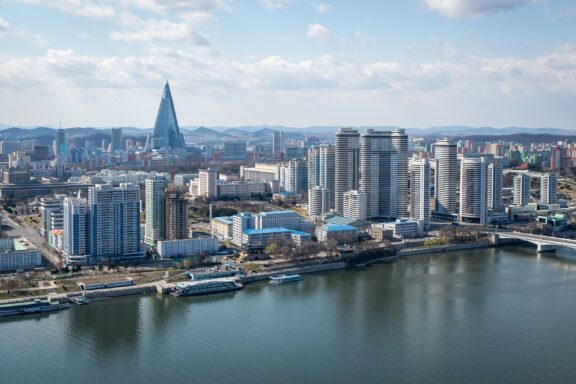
(166, 133)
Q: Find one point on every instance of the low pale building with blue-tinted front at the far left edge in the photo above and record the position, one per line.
(18, 253)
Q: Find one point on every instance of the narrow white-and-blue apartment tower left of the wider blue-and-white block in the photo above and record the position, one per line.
(76, 242)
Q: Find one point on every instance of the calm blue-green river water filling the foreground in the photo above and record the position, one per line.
(488, 316)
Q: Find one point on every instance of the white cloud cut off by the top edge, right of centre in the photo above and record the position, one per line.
(473, 8)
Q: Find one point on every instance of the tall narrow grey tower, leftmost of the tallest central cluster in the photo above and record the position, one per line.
(347, 165)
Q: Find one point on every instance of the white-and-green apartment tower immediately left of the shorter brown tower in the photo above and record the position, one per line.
(155, 190)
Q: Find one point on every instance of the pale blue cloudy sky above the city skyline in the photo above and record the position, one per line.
(410, 63)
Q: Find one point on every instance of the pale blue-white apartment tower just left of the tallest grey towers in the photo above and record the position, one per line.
(321, 170)
